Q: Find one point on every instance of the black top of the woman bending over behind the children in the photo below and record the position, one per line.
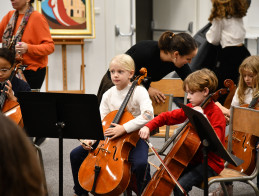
(147, 54)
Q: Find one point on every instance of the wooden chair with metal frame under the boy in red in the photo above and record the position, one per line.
(243, 120)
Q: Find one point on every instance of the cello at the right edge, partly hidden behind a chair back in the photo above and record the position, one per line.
(243, 145)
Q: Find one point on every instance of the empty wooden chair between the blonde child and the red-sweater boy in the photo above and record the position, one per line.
(171, 87)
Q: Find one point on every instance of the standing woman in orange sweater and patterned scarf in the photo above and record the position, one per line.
(26, 32)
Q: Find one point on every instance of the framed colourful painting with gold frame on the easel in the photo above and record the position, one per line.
(68, 18)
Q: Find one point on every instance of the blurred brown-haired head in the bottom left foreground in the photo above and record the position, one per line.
(20, 171)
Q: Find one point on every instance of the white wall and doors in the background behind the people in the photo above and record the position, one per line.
(100, 50)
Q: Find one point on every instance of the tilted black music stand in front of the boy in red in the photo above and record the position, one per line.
(210, 141)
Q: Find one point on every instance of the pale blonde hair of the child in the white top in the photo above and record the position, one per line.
(125, 61)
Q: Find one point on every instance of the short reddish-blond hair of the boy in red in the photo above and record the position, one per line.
(200, 79)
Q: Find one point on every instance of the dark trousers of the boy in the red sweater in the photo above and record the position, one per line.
(192, 176)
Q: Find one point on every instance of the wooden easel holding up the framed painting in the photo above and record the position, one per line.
(64, 42)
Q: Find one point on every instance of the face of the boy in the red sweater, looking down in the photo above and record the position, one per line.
(197, 97)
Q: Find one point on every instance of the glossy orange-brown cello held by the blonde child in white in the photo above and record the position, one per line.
(106, 169)
